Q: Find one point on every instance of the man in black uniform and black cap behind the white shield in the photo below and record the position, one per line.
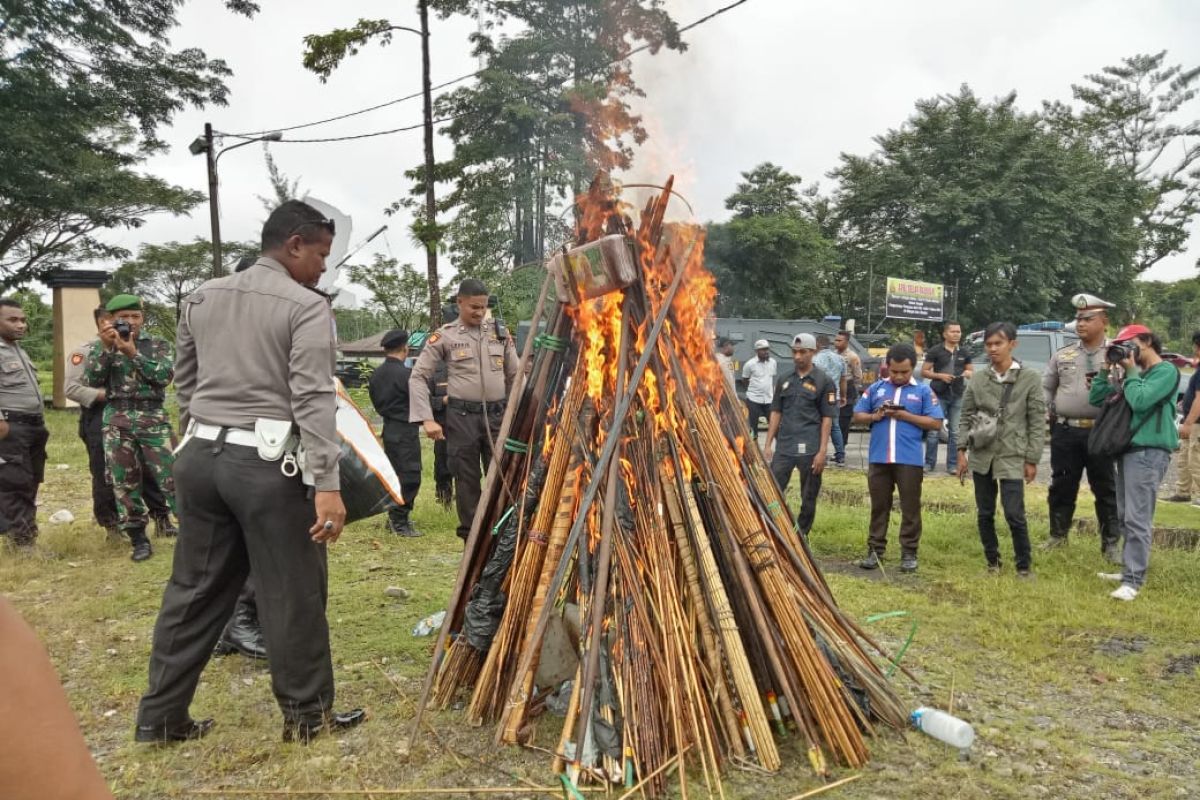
(401, 438)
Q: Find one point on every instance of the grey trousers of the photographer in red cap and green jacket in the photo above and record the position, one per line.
(1139, 473)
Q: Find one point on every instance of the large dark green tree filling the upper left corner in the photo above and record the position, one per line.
(85, 87)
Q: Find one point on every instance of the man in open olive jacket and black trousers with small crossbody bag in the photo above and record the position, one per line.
(1013, 455)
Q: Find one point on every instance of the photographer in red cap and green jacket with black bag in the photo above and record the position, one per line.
(1135, 368)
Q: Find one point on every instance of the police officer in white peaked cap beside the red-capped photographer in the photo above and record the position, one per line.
(1067, 382)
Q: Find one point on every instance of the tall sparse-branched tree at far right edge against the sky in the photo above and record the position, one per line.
(1132, 113)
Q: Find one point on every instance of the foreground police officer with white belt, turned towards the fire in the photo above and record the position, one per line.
(255, 366)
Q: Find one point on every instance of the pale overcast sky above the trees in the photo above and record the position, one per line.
(796, 83)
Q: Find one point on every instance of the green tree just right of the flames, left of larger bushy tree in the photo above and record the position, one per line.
(772, 260)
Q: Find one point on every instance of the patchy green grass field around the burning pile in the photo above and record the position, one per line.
(1072, 695)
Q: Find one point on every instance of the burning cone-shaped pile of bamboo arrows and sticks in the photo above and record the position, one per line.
(627, 486)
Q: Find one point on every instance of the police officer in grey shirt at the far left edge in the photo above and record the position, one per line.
(23, 450)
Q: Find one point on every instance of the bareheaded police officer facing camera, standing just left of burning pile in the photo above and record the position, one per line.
(482, 366)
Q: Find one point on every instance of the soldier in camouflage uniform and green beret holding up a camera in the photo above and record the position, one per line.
(135, 370)
